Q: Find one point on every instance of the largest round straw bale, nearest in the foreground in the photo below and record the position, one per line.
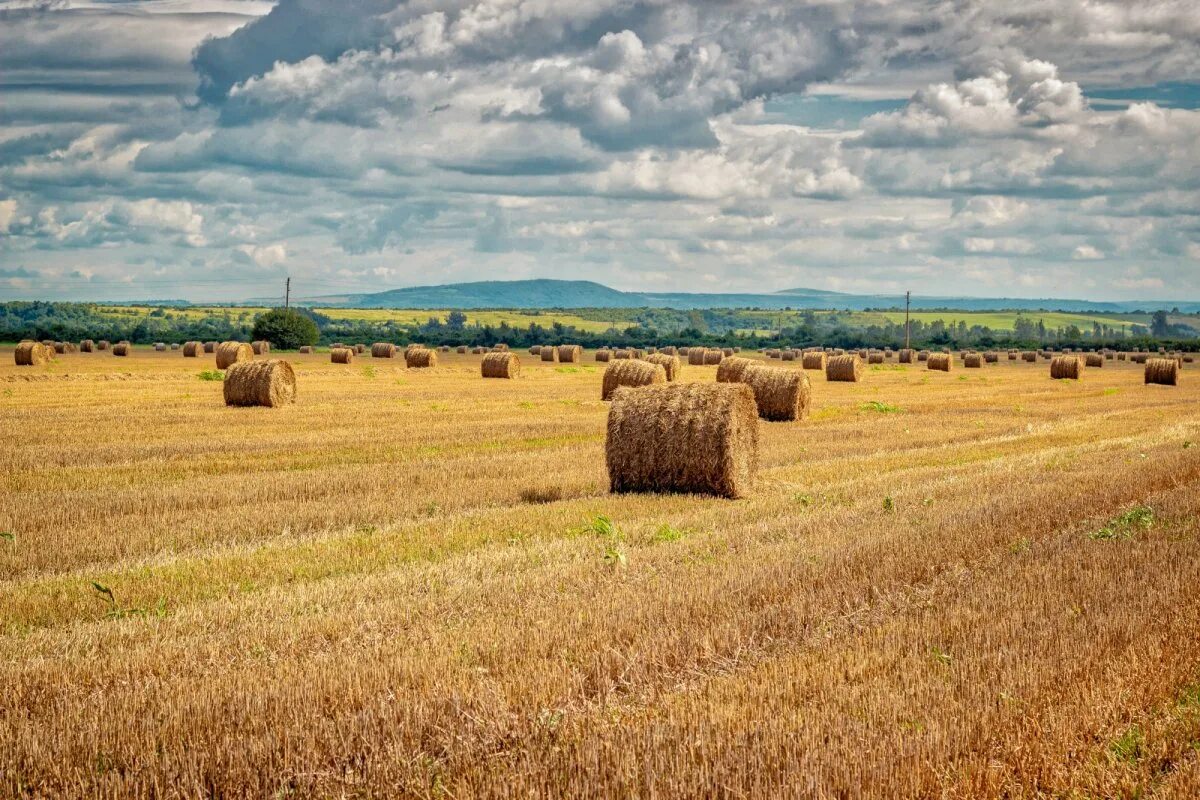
(689, 438)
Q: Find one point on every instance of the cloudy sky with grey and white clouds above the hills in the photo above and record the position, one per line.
(206, 149)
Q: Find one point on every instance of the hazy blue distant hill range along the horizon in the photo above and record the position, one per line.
(547, 293)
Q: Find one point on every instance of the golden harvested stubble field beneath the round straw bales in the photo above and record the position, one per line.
(979, 584)
